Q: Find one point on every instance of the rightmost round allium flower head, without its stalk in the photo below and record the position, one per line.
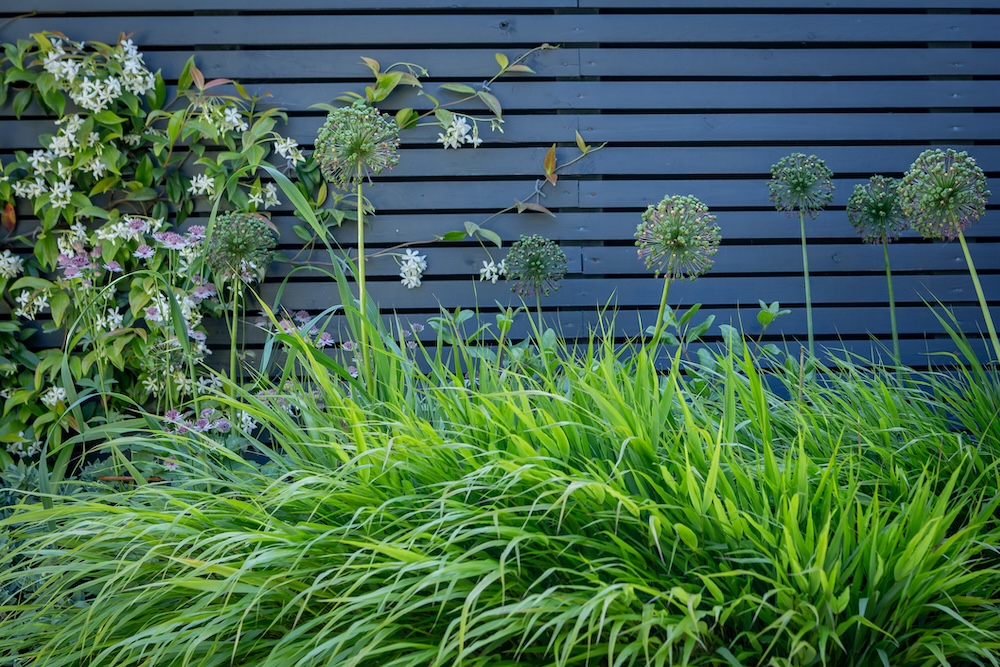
(943, 193)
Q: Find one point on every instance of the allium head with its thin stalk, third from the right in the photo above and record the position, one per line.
(804, 184)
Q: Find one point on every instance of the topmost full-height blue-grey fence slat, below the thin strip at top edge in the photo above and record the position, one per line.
(530, 29)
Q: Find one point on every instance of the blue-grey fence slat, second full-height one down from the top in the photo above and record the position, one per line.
(326, 64)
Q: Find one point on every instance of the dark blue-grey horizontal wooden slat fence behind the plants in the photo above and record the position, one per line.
(698, 97)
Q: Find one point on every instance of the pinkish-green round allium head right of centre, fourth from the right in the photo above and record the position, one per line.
(678, 237)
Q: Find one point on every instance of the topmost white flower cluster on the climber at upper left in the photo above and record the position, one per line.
(88, 86)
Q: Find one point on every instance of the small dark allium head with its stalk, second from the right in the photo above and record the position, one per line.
(876, 212)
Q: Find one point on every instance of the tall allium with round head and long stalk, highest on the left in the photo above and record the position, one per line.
(355, 143)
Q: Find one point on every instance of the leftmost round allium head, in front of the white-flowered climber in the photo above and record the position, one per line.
(241, 245)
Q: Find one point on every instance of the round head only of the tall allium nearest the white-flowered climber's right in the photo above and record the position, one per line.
(355, 143)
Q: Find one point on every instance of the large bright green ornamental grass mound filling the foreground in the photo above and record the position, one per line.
(590, 511)
